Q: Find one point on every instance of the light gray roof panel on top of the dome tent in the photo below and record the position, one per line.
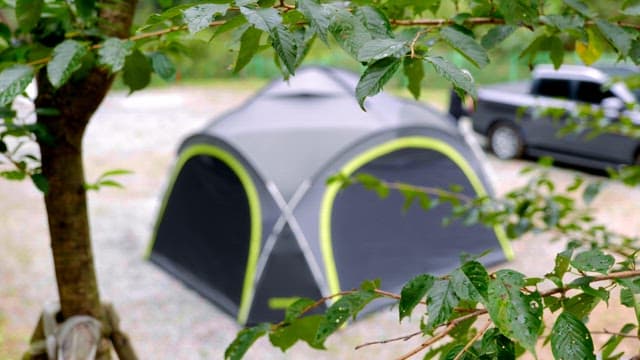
(311, 119)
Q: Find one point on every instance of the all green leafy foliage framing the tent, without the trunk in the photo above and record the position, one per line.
(65, 40)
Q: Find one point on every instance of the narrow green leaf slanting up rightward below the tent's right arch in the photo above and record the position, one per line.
(338, 313)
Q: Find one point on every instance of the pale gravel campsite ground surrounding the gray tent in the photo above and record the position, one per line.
(166, 320)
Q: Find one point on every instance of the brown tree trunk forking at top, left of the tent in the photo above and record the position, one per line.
(66, 201)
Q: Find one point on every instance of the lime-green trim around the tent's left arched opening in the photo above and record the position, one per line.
(254, 209)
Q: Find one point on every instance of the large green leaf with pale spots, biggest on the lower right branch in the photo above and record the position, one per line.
(516, 314)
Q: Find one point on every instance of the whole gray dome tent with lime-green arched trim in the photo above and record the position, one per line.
(250, 223)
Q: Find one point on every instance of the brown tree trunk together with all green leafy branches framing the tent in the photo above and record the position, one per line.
(74, 49)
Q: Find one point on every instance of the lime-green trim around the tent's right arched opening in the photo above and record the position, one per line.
(352, 166)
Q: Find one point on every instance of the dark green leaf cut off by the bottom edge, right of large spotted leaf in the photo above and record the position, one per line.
(570, 339)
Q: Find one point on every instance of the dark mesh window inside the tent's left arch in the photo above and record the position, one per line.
(209, 210)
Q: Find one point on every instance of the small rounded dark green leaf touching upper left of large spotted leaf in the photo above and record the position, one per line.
(471, 281)
